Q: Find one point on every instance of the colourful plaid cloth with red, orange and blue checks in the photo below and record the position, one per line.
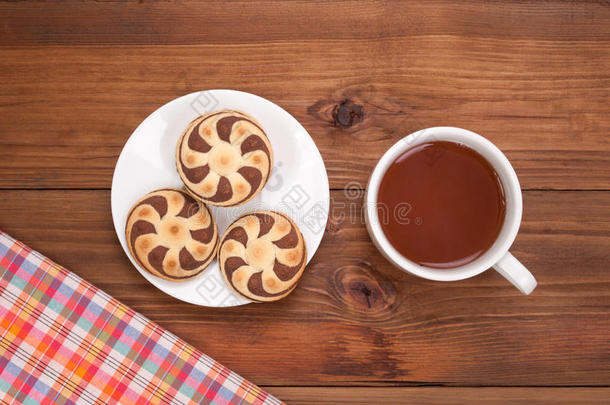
(64, 341)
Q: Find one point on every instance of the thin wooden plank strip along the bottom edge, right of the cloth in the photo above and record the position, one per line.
(441, 395)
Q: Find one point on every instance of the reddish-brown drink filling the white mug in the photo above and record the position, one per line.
(441, 204)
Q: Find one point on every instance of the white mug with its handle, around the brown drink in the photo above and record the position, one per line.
(497, 256)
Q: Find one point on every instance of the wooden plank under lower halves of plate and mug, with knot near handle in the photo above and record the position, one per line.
(355, 319)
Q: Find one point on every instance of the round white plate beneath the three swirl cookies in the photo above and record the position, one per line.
(298, 185)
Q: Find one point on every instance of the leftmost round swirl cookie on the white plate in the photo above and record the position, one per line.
(171, 235)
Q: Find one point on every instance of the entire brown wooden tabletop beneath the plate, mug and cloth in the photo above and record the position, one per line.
(78, 77)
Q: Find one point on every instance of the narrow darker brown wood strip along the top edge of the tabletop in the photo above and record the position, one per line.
(189, 21)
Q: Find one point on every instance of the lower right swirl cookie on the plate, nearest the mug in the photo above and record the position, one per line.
(262, 256)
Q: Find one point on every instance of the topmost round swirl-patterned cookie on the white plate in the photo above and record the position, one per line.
(224, 158)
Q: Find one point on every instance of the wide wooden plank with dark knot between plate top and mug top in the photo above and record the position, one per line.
(66, 111)
